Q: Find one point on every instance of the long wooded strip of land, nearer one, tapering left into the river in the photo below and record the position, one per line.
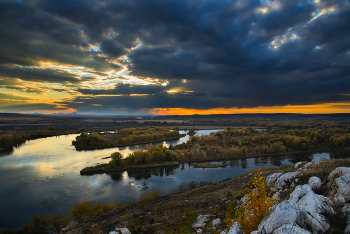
(234, 143)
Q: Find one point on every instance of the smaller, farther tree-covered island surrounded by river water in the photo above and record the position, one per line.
(124, 137)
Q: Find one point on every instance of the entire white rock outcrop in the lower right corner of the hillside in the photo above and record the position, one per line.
(305, 212)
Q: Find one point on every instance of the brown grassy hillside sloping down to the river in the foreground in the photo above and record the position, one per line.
(170, 214)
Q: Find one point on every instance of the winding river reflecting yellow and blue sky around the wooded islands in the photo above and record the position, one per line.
(42, 176)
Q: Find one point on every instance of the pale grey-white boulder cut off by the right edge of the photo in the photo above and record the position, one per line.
(338, 184)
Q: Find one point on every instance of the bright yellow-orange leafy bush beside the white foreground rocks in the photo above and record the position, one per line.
(257, 205)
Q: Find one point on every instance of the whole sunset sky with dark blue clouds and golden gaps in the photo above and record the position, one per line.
(181, 57)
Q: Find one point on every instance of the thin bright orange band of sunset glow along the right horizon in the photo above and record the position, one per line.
(326, 108)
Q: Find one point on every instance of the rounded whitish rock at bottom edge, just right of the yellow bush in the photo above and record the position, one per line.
(285, 213)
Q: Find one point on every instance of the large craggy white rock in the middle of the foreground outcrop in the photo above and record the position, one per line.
(313, 205)
